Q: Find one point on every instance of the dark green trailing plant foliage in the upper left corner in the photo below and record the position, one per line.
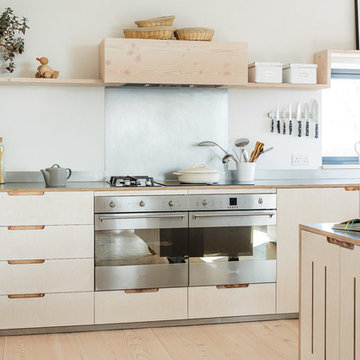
(11, 42)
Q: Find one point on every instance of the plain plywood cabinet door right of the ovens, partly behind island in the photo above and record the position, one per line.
(304, 206)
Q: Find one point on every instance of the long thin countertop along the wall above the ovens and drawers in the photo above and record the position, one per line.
(349, 184)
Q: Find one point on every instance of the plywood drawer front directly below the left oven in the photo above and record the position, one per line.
(120, 307)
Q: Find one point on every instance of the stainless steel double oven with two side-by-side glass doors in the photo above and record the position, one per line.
(144, 242)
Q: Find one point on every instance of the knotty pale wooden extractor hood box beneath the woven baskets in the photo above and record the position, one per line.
(172, 62)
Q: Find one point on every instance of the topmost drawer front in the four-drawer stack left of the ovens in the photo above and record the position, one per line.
(46, 208)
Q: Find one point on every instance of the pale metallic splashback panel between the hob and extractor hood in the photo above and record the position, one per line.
(154, 131)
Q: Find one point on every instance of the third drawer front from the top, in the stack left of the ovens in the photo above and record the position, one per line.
(49, 276)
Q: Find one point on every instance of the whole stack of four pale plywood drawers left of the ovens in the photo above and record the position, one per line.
(45, 239)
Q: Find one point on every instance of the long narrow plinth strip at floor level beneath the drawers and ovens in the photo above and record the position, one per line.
(141, 325)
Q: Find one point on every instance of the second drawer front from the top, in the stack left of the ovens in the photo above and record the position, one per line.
(48, 242)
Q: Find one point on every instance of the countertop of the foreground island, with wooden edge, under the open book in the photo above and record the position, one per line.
(325, 229)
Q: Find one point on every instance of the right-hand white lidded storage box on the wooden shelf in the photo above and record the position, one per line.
(300, 73)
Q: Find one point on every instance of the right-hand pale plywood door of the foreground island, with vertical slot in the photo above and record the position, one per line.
(350, 304)
